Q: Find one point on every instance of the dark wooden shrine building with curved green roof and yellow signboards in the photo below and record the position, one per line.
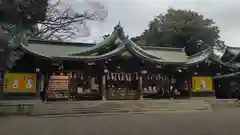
(117, 68)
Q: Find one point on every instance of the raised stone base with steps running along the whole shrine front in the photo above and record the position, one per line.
(36, 107)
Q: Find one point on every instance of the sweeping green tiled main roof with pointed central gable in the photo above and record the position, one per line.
(78, 51)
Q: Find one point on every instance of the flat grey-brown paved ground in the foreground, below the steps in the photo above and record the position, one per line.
(222, 122)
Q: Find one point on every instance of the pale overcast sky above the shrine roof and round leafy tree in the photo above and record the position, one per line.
(135, 15)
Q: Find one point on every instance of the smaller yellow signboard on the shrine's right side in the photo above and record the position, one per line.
(202, 83)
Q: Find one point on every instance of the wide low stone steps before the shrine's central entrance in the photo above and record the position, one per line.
(116, 106)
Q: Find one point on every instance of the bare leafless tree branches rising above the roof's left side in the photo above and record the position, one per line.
(64, 22)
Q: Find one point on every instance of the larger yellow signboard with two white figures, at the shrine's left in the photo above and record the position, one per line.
(19, 83)
